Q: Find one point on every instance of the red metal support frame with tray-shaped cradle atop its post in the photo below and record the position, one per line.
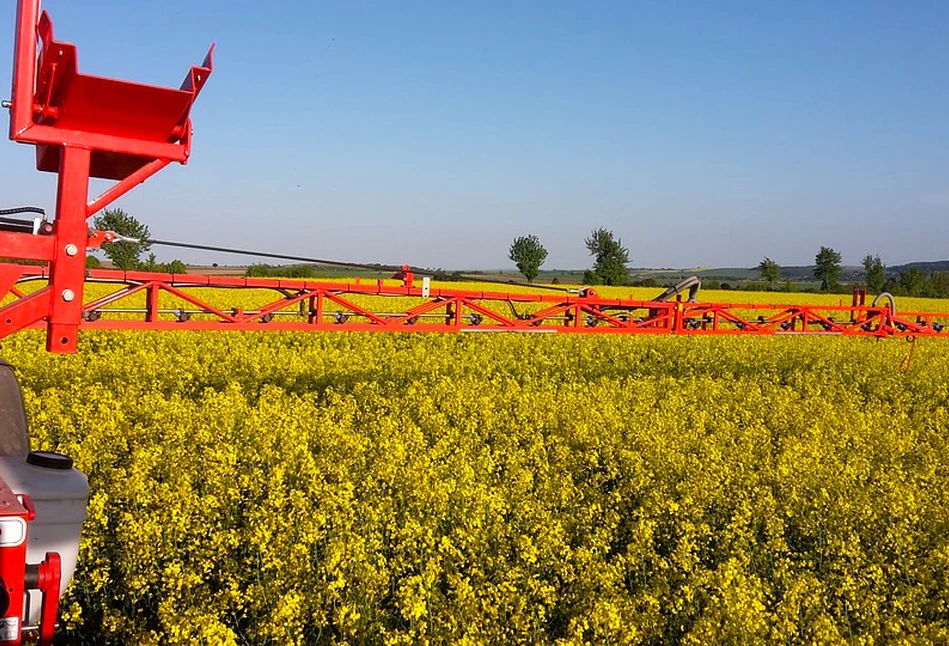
(83, 126)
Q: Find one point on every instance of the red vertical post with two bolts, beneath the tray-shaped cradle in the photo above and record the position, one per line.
(68, 267)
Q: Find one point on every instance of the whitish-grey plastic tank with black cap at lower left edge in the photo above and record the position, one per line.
(59, 493)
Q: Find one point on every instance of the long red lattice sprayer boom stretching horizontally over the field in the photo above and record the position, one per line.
(175, 302)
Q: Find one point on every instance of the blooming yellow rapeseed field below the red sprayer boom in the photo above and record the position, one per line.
(329, 488)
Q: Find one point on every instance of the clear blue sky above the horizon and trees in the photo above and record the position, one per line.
(701, 133)
